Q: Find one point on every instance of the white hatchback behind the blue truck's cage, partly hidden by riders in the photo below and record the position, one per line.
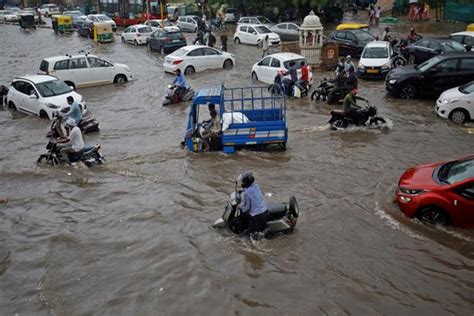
(268, 67)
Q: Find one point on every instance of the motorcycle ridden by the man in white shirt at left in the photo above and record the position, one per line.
(54, 156)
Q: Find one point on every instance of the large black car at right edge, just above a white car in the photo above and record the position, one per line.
(432, 77)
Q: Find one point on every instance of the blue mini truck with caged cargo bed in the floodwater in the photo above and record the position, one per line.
(249, 117)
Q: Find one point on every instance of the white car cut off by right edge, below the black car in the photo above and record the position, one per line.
(457, 104)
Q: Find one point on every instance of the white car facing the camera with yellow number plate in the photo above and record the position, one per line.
(376, 60)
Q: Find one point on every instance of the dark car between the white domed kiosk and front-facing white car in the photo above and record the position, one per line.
(351, 42)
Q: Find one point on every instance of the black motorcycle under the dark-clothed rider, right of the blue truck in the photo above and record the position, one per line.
(365, 117)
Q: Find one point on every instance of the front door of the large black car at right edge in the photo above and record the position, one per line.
(440, 77)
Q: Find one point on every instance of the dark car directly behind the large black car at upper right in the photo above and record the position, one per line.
(425, 48)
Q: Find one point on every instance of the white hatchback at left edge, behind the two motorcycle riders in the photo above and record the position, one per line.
(40, 95)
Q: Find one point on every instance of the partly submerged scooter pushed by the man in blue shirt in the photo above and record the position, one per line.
(282, 217)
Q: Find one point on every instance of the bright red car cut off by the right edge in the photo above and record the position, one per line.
(439, 193)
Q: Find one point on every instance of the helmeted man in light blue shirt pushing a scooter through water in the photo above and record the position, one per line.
(253, 204)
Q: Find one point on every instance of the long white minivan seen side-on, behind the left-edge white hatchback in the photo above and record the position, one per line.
(85, 70)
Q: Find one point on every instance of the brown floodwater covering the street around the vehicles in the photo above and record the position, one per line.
(134, 236)
